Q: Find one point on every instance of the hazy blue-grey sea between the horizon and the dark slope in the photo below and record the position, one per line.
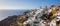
(5, 13)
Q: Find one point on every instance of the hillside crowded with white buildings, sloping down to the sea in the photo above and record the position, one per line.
(39, 17)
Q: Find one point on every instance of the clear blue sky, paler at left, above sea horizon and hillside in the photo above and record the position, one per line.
(26, 4)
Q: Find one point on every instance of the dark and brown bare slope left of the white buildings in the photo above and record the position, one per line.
(13, 21)
